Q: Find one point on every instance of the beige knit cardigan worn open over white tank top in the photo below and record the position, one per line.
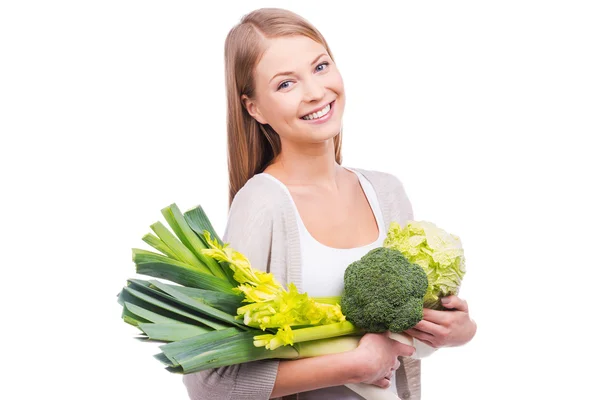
(262, 225)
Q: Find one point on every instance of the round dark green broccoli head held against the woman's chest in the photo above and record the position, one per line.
(384, 291)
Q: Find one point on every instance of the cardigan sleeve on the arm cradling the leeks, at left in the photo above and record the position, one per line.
(249, 231)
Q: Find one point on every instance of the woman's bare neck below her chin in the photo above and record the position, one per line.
(303, 165)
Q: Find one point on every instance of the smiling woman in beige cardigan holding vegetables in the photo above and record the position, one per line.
(297, 213)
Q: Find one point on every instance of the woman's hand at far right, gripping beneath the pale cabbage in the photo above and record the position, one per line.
(452, 327)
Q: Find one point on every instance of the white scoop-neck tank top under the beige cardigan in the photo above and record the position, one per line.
(323, 270)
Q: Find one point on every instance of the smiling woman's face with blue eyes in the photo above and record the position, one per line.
(295, 79)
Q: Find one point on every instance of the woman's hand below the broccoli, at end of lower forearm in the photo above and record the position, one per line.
(377, 355)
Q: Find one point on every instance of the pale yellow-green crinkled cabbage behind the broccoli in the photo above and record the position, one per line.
(438, 252)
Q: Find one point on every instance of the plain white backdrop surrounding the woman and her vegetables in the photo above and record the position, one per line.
(487, 111)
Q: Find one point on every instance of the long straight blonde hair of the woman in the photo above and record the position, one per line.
(251, 145)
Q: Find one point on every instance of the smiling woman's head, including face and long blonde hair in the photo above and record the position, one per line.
(280, 72)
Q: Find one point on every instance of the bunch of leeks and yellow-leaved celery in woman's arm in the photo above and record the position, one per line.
(221, 304)
